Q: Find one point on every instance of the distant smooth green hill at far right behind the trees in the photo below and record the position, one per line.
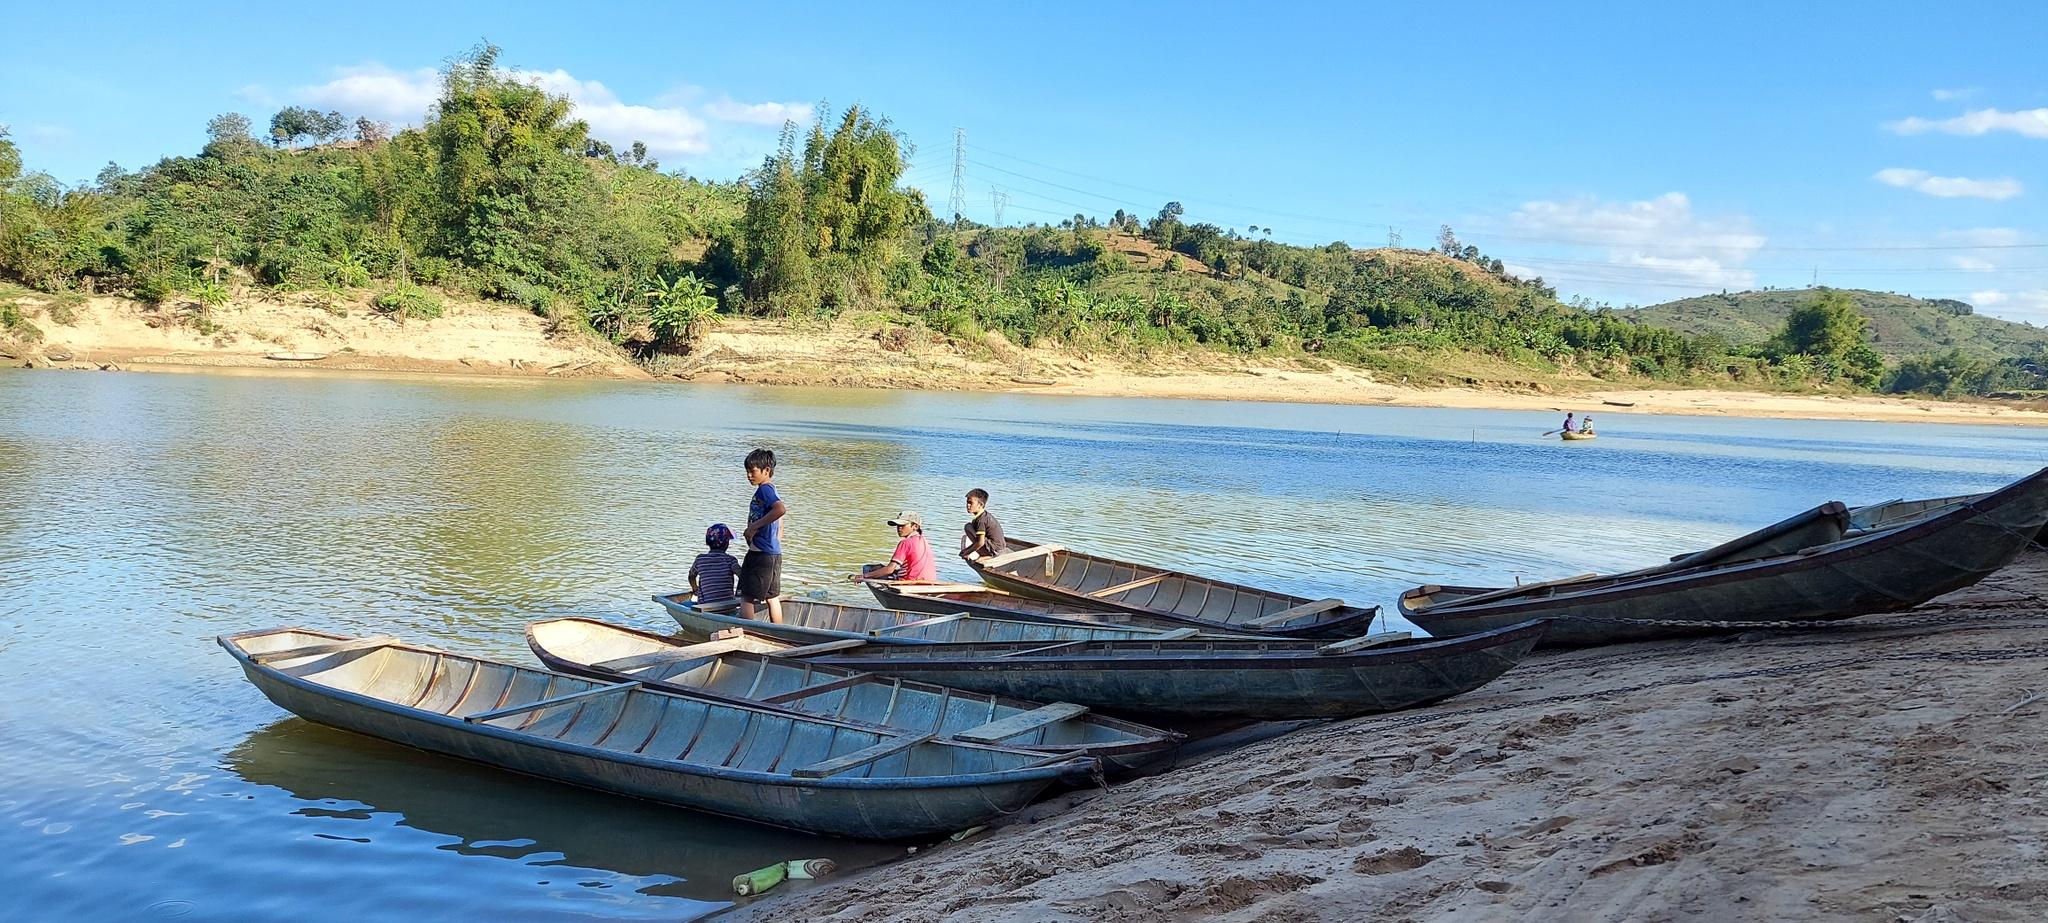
(1900, 324)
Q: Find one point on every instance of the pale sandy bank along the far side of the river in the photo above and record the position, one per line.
(480, 339)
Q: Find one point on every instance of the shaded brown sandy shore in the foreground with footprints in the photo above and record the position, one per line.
(1848, 775)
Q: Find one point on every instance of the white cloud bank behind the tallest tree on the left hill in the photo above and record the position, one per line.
(669, 126)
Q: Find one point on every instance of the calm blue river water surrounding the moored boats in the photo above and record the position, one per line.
(146, 515)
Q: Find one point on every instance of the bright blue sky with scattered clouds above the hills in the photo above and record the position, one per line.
(1627, 152)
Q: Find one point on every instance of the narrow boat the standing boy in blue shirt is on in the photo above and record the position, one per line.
(806, 623)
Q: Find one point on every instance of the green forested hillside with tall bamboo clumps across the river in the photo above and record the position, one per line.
(505, 195)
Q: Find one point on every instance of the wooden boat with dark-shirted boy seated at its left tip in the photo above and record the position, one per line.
(1054, 574)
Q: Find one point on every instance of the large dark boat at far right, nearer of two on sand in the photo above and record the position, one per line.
(1863, 574)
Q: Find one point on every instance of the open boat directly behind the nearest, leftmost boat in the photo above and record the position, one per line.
(740, 670)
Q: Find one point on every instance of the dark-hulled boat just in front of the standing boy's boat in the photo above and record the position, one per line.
(1209, 678)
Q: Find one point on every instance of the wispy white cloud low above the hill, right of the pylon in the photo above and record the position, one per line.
(1652, 245)
